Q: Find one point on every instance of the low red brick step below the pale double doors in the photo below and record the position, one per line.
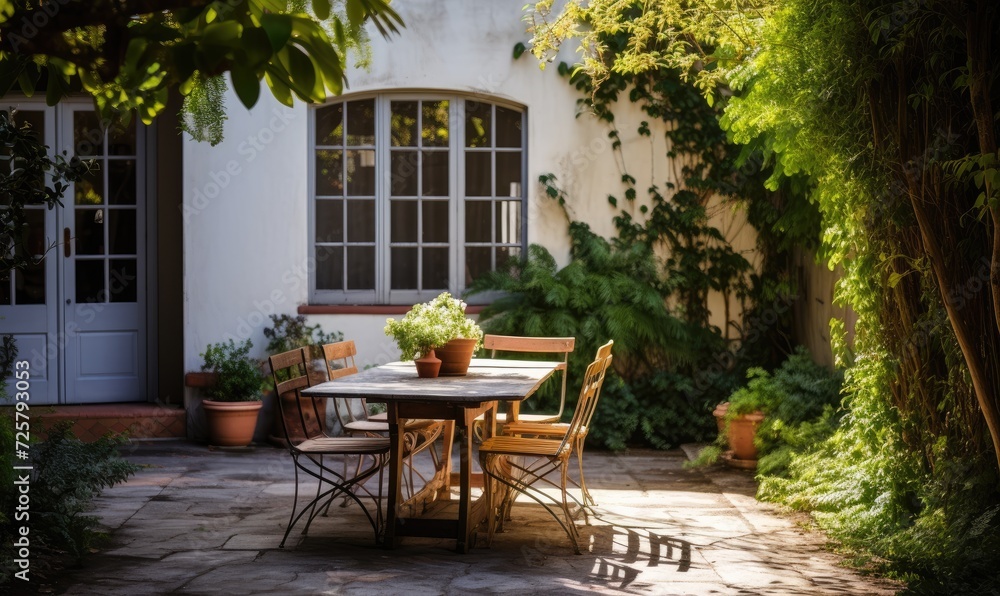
(140, 420)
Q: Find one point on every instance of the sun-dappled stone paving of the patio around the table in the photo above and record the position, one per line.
(202, 521)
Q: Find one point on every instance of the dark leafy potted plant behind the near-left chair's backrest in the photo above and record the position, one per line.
(288, 332)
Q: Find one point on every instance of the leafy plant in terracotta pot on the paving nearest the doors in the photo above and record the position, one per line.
(234, 399)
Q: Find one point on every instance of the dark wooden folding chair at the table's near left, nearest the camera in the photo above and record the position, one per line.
(308, 446)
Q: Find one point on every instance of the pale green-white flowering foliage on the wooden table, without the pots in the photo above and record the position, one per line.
(432, 324)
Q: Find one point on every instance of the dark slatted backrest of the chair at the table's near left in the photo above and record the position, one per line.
(290, 373)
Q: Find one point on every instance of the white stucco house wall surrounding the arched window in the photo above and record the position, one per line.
(246, 228)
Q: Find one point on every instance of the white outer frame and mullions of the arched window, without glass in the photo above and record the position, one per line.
(383, 294)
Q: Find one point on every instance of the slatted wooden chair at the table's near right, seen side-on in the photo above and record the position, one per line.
(516, 464)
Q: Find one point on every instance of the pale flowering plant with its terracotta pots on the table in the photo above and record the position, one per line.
(437, 330)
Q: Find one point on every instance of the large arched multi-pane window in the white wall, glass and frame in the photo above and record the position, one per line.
(413, 194)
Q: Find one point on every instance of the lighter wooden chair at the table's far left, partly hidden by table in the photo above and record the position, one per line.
(352, 414)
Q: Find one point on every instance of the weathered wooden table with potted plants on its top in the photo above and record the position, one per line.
(458, 401)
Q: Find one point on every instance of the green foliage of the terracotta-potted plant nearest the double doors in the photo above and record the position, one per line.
(238, 375)
